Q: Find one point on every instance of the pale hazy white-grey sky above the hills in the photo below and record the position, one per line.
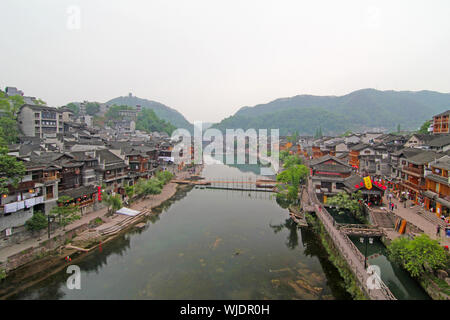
(208, 58)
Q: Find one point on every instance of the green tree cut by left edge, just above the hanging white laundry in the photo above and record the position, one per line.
(11, 171)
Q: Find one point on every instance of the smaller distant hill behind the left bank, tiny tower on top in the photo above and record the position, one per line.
(162, 111)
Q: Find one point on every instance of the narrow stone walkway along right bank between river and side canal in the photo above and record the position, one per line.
(350, 252)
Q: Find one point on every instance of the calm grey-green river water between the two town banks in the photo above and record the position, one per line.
(206, 244)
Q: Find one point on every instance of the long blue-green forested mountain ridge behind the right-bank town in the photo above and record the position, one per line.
(360, 110)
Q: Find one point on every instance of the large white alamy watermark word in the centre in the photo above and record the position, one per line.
(237, 146)
